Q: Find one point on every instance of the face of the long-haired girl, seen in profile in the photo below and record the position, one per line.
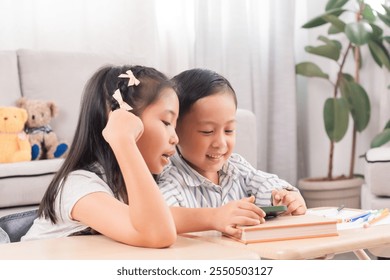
(159, 139)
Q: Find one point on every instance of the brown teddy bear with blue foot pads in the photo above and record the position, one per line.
(44, 142)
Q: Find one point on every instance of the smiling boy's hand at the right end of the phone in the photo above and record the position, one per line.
(293, 200)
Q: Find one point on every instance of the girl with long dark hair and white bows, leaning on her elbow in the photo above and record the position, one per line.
(105, 184)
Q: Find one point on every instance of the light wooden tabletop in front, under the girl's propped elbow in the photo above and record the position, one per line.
(95, 247)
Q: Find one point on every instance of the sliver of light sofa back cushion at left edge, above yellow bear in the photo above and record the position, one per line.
(9, 78)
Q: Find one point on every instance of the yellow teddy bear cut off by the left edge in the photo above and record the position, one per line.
(14, 144)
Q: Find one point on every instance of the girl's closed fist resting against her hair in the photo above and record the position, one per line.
(121, 124)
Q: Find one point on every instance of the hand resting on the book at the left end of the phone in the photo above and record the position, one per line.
(239, 212)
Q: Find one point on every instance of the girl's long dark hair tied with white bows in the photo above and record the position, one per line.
(88, 147)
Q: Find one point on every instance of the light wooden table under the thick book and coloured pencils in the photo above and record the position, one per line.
(350, 240)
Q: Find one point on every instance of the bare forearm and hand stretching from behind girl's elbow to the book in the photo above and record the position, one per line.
(224, 218)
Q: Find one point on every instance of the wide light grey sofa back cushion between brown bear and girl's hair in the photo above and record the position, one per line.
(60, 77)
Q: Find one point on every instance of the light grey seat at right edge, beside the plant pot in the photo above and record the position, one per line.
(377, 173)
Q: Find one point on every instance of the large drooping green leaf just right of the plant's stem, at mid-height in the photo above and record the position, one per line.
(358, 103)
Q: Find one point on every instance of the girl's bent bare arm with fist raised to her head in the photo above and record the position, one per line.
(146, 221)
